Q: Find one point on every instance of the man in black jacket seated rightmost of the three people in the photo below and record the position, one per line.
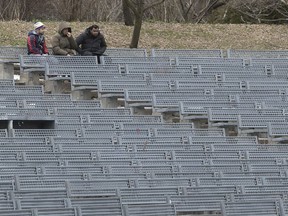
(91, 42)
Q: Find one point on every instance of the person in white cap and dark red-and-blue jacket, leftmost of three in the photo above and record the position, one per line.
(36, 41)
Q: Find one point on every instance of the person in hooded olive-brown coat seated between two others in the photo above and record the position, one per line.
(63, 43)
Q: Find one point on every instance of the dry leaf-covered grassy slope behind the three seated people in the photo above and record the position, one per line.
(166, 35)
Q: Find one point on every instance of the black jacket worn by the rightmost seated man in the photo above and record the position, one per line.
(88, 42)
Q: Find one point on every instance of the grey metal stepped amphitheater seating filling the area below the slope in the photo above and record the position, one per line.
(67, 157)
